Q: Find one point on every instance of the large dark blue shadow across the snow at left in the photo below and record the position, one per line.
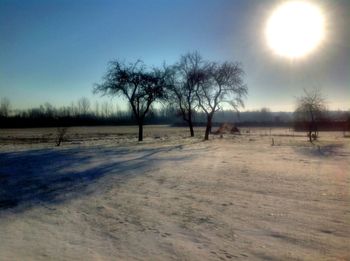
(51, 176)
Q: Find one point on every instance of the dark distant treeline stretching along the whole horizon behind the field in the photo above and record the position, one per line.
(82, 114)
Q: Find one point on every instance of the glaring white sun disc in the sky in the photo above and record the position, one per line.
(295, 29)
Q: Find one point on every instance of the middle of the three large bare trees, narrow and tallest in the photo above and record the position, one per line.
(187, 75)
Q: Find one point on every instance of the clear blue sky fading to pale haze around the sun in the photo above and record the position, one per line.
(54, 51)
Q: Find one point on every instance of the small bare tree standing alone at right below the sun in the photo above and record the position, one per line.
(310, 109)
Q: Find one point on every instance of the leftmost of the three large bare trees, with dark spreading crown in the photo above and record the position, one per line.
(141, 87)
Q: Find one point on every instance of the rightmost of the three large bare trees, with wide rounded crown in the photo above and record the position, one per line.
(221, 83)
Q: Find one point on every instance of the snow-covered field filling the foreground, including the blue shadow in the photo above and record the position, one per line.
(266, 194)
